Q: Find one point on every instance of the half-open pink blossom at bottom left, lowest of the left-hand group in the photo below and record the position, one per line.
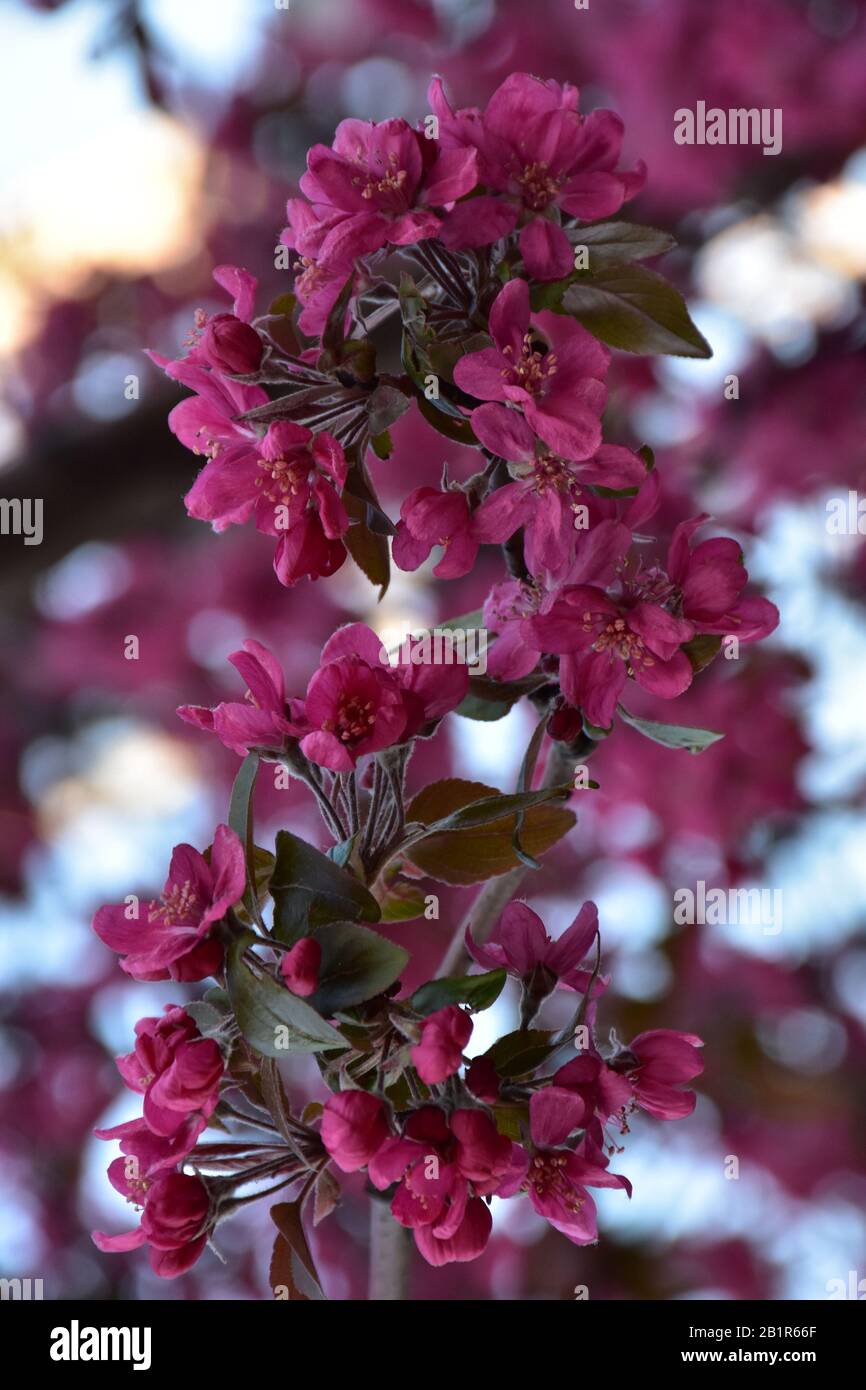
(174, 1220)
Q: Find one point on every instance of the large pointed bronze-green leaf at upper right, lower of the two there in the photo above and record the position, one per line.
(637, 311)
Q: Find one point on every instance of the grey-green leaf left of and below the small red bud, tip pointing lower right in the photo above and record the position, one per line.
(273, 1020)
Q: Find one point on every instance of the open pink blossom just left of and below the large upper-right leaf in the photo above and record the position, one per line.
(559, 393)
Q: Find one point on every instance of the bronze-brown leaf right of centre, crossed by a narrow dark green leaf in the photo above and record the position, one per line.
(476, 853)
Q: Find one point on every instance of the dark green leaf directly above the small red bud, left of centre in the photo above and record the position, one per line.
(309, 890)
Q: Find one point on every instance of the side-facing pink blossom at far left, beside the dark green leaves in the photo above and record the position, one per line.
(173, 939)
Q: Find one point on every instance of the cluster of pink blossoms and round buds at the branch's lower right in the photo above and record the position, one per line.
(448, 1159)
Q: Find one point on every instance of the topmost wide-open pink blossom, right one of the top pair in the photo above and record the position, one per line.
(536, 154)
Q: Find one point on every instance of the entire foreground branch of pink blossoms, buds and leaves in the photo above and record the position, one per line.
(464, 233)
